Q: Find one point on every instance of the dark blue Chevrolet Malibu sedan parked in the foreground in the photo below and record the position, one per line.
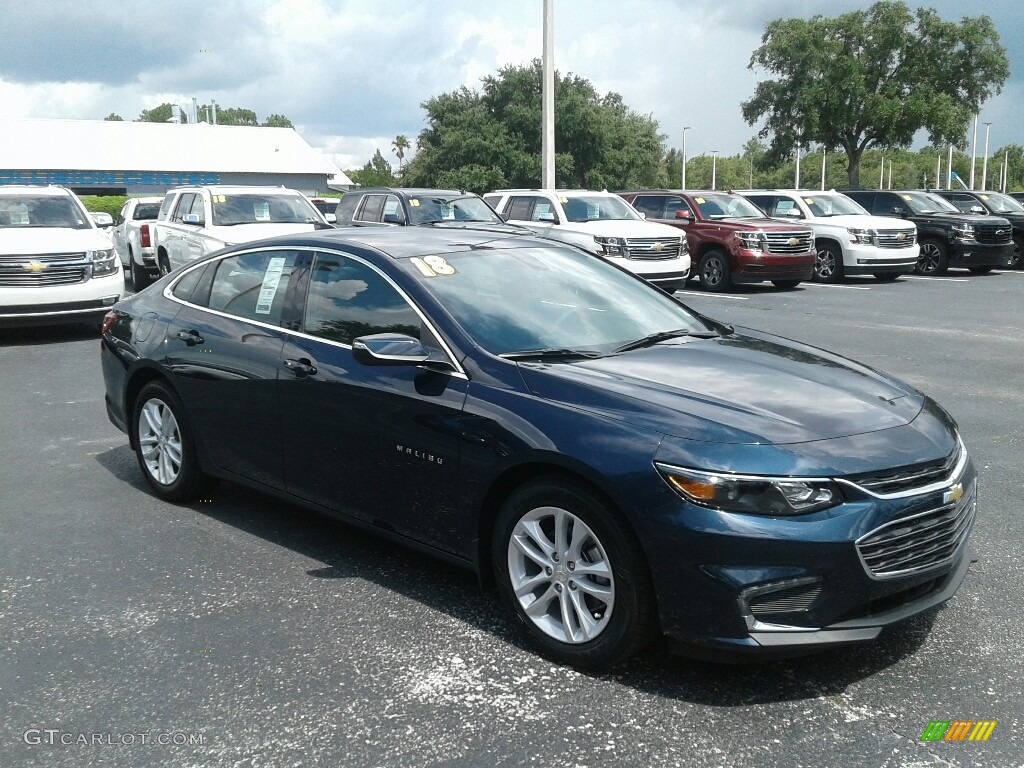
(617, 464)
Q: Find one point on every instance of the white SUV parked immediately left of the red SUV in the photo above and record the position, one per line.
(604, 225)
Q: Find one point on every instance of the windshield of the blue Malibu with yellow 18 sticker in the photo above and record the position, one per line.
(564, 300)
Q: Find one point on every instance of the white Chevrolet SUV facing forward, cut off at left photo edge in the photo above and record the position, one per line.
(56, 265)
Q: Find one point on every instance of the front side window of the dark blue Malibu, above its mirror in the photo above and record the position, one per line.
(348, 300)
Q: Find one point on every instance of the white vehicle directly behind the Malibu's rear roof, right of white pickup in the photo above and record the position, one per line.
(198, 221)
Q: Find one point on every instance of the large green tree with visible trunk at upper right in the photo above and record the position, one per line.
(874, 78)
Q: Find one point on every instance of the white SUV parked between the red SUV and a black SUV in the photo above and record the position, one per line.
(848, 239)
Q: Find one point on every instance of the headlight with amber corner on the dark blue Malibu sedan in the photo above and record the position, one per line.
(753, 494)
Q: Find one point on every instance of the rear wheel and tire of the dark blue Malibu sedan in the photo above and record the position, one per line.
(158, 400)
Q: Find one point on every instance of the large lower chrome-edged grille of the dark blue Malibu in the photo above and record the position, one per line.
(918, 543)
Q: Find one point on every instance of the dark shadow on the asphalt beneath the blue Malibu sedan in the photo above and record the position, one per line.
(348, 552)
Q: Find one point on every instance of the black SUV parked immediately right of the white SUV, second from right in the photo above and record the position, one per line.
(948, 237)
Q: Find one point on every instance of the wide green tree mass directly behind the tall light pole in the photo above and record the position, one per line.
(481, 141)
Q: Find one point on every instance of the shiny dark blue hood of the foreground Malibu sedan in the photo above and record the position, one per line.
(749, 389)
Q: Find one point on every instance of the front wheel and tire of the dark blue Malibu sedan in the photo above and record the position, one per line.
(622, 622)
